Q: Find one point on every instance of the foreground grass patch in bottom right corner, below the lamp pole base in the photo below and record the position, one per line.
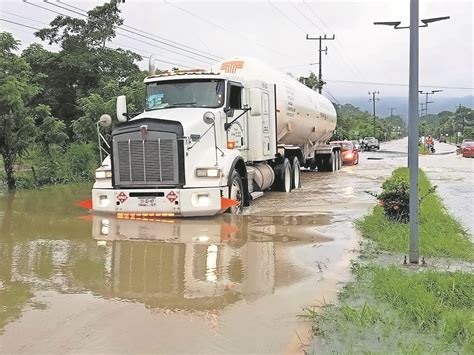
(395, 310)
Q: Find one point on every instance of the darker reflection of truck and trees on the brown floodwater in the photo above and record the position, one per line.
(182, 264)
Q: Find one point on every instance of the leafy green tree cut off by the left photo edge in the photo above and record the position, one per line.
(17, 127)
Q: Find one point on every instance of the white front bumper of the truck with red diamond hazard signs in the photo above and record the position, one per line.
(159, 202)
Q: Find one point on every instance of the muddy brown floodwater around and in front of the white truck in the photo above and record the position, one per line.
(72, 282)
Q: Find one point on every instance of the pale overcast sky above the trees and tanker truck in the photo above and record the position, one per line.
(362, 58)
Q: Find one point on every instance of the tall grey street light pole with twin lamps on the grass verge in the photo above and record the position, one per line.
(414, 255)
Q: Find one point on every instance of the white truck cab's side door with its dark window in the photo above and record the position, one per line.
(238, 131)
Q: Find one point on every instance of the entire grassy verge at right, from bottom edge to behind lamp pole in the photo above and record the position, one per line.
(397, 309)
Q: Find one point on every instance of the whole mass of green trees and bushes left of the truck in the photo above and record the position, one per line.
(50, 101)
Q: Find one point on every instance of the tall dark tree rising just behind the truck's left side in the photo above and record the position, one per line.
(84, 62)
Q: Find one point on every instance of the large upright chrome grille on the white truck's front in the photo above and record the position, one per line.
(153, 161)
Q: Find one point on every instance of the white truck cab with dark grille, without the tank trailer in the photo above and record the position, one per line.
(179, 156)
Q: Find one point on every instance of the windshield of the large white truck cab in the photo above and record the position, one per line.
(185, 93)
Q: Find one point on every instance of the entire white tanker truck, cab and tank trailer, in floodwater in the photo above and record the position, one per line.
(210, 142)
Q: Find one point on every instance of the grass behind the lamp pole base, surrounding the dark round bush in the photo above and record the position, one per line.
(439, 233)
